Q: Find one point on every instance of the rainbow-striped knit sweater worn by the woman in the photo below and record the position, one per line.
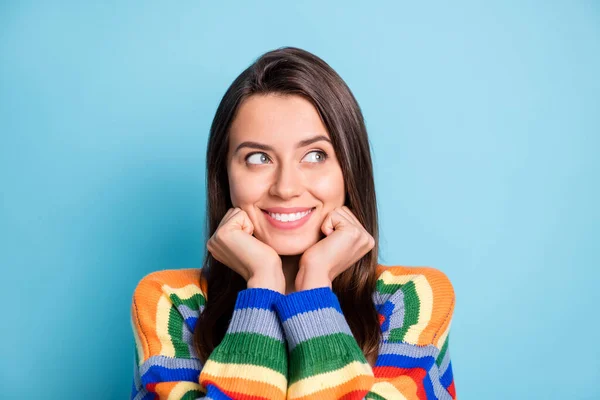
(295, 346)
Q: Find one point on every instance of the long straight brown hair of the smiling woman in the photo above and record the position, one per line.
(293, 71)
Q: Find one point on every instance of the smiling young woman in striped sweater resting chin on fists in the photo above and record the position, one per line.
(290, 301)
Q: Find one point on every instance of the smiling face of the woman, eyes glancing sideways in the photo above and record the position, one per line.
(280, 158)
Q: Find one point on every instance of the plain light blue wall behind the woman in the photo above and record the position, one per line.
(484, 119)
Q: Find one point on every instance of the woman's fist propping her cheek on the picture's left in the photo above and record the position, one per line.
(233, 245)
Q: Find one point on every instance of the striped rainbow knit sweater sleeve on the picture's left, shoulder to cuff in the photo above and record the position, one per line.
(251, 360)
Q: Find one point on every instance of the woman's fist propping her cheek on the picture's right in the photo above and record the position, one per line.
(346, 242)
